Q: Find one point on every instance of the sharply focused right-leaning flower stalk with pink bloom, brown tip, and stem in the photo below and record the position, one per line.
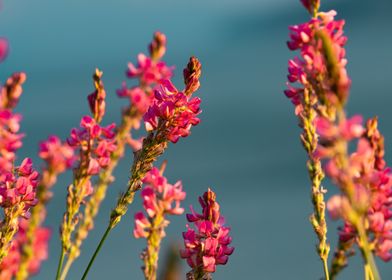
(171, 116)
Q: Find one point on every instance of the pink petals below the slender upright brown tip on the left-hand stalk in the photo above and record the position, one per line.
(95, 143)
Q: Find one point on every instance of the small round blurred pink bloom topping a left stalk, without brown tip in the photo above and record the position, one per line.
(58, 156)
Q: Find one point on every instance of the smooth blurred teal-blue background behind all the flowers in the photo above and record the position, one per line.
(247, 146)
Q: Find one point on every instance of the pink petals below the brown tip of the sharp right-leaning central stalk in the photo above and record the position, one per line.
(174, 111)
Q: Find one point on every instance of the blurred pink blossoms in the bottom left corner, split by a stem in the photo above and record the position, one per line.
(9, 267)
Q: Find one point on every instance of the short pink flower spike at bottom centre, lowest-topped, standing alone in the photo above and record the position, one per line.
(207, 245)
